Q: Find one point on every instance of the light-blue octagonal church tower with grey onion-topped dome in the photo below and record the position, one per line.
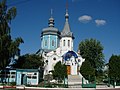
(50, 37)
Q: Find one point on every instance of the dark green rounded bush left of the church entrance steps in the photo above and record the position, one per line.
(60, 71)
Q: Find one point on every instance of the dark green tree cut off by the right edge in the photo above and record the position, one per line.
(114, 67)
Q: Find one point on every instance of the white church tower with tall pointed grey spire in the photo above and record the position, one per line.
(66, 42)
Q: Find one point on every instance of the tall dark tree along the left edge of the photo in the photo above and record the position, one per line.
(8, 47)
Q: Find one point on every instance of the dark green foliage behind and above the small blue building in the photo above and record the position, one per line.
(29, 61)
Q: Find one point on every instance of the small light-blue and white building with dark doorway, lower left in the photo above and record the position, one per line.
(27, 77)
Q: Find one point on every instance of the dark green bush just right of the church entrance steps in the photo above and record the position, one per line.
(87, 71)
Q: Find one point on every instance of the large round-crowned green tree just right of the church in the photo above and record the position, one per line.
(92, 50)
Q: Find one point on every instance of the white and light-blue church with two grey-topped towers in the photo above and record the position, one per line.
(58, 46)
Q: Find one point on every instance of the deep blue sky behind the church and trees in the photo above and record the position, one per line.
(98, 19)
